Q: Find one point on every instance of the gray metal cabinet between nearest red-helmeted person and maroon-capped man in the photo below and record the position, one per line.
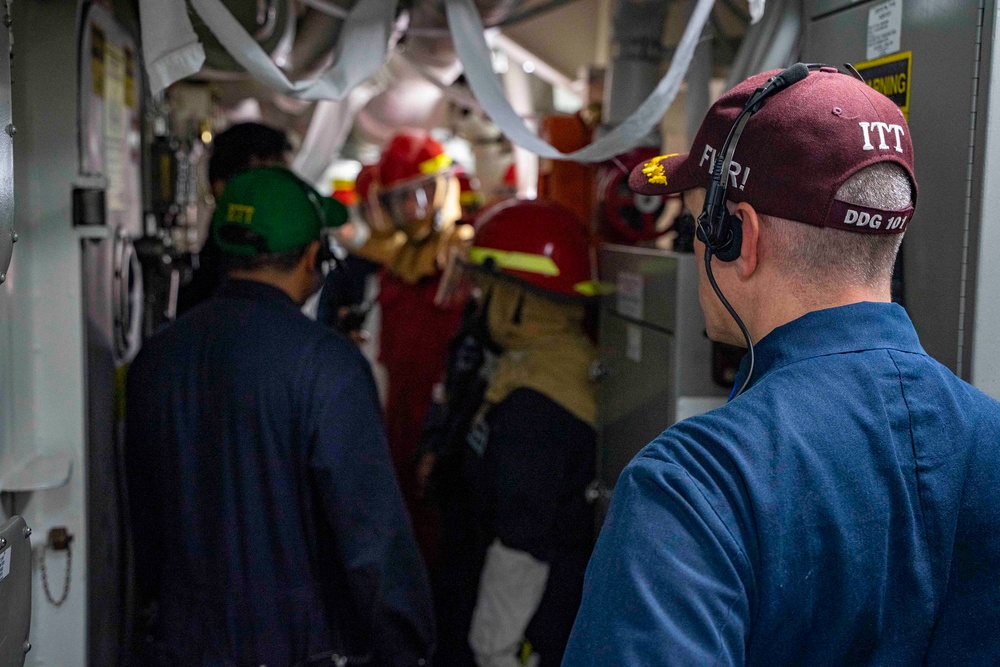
(655, 358)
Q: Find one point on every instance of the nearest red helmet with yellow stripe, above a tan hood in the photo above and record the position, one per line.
(537, 241)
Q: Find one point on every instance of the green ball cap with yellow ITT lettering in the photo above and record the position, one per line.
(271, 210)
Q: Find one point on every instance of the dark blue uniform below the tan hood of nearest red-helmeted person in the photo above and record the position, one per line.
(539, 461)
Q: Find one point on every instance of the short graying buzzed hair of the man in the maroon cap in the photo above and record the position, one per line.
(818, 255)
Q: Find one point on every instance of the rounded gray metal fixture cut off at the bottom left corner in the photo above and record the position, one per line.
(15, 591)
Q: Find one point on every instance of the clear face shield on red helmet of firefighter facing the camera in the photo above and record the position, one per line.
(415, 207)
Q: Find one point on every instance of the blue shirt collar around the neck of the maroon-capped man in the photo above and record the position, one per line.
(853, 328)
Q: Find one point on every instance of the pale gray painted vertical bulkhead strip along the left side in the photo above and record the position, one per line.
(46, 345)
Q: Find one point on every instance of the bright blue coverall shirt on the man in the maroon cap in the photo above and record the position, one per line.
(844, 510)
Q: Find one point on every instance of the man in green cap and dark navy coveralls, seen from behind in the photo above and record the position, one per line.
(268, 526)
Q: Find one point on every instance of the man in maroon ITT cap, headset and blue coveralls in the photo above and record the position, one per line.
(842, 507)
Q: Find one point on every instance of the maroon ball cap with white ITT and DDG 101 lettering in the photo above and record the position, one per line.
(796, 152)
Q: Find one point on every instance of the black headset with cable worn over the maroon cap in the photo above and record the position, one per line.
(720, 230)
